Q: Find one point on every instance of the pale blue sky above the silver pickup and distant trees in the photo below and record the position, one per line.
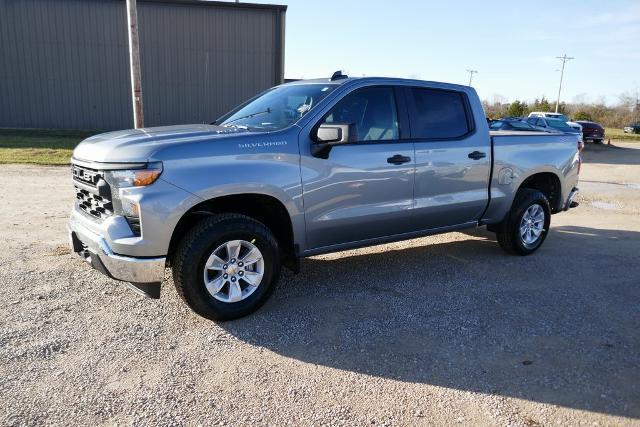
(512, 45)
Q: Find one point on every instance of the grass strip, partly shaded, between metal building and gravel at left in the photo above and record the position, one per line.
(39, 146)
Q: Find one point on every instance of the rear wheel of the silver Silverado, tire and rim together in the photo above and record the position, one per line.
(527, 223)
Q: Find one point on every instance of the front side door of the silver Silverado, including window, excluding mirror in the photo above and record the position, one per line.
(363, 189)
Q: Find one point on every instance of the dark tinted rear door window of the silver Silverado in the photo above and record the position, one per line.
(438, 114)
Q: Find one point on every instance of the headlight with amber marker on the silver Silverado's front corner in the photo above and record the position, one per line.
(121, 179)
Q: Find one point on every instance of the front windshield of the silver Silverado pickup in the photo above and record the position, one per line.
(278, 108)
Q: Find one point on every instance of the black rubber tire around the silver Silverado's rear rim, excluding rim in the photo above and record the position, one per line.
(508, 232)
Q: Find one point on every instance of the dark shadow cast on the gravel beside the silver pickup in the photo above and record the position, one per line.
(558, 327)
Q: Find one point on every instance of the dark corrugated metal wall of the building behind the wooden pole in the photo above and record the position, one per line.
(64, 63)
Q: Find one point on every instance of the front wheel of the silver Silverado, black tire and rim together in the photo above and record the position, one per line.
(226, 266)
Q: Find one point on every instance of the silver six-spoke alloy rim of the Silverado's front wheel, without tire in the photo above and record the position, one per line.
(233, 271)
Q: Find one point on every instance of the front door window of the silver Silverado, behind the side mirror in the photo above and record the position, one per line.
(372, 112)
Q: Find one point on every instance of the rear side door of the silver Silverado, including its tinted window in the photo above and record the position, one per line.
(453, 160)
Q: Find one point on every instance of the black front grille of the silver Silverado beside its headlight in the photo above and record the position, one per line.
(93, 195)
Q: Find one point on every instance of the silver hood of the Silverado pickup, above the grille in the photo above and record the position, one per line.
(138, 145)
